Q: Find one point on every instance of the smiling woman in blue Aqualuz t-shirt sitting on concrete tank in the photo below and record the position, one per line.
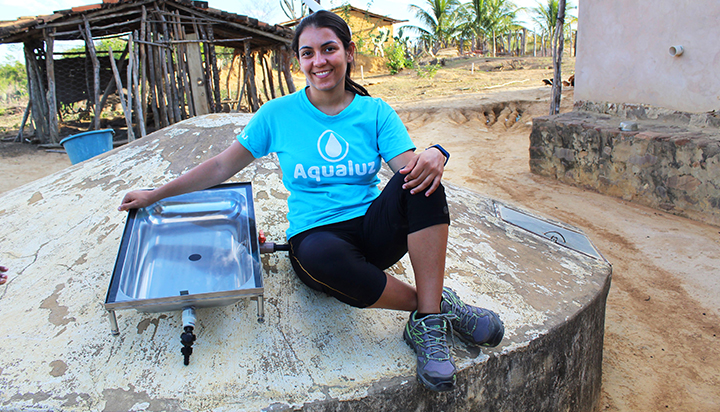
(330, 138)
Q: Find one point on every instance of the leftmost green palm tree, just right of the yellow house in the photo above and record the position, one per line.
(439, 22)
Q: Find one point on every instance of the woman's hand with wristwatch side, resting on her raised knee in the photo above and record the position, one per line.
(424, 171)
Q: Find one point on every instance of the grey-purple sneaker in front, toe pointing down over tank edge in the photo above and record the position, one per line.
(428, 338)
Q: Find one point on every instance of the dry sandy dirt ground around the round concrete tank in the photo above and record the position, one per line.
(661, 348)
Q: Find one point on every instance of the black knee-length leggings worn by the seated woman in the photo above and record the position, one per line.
(346, 260)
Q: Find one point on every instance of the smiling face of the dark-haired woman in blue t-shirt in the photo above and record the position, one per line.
(323, 59)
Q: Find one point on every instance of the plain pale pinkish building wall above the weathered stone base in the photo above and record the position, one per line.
(623, 53)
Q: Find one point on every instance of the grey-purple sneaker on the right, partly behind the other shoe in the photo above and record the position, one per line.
(472, 324)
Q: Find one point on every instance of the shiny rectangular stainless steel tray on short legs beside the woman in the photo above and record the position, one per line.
(194, 250)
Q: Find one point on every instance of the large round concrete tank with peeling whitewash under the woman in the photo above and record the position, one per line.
(60, 237)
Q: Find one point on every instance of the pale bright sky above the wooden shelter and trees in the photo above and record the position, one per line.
(265, 10)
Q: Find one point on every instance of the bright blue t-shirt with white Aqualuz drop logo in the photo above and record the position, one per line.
(329, 163)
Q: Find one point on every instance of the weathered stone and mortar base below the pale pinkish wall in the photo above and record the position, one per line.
(669, 163)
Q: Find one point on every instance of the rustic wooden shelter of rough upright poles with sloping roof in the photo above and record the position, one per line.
(167, 72)
